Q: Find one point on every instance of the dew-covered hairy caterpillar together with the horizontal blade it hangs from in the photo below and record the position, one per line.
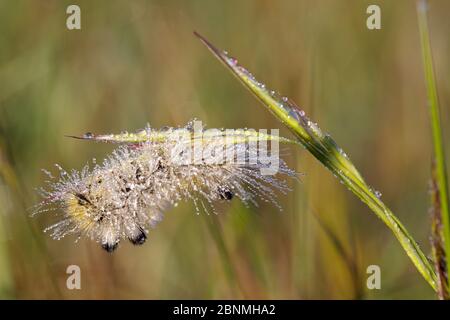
(152, 171)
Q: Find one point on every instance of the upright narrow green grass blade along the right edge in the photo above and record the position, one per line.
(439, 155)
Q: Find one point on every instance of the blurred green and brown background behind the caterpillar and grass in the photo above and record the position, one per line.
(137, 62)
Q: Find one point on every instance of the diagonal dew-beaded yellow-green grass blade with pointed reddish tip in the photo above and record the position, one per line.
(326, 150)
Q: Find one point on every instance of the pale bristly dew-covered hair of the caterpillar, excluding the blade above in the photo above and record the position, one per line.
(127, 194)
